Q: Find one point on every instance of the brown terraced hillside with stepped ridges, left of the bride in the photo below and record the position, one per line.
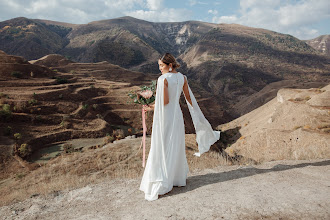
(69, 100)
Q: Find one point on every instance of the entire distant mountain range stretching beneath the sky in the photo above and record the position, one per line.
(231, 62)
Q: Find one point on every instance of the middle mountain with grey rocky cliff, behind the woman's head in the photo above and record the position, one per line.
(130, 42)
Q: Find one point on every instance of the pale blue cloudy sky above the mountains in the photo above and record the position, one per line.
(304, 19)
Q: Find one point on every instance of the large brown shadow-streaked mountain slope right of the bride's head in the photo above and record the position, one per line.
(233, 62)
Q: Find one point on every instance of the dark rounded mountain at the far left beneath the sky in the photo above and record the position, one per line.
(31, 39)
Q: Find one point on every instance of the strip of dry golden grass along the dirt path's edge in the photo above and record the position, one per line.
(78, 169)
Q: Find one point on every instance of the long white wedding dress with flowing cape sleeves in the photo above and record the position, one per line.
(167, 163)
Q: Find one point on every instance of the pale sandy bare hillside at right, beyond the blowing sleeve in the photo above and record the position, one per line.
(294, 125)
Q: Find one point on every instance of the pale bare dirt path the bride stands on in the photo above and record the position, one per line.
(274, 190)
